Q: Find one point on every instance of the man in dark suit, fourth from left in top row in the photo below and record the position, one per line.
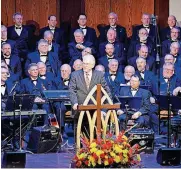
(121, 34)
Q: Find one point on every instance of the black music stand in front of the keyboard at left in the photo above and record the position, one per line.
(20, 102)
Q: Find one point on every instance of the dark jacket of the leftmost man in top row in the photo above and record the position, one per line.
(22, 41)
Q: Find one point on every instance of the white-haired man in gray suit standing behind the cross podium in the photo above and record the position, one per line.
(81, 83)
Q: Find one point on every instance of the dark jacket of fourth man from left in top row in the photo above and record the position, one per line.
(120, 32)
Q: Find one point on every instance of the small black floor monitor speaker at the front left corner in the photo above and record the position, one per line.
(14, 160)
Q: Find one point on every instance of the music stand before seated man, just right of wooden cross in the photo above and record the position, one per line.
(130, 104)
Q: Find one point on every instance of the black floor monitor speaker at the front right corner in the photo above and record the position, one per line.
(169, 156)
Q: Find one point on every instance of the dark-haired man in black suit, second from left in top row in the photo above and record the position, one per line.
(58, 34)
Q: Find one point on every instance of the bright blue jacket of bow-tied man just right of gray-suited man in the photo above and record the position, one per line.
(114, 85)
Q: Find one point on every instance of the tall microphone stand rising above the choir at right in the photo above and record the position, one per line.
(158, 46)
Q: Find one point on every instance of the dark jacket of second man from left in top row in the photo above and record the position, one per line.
(58, 36)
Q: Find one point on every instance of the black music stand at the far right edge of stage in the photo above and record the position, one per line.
(168, 103)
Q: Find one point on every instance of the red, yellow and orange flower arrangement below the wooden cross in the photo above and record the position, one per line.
(107, 152)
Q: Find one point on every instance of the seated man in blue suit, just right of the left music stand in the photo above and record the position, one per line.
(35, 85)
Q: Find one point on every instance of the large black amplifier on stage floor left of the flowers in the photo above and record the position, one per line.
(44, 139)
